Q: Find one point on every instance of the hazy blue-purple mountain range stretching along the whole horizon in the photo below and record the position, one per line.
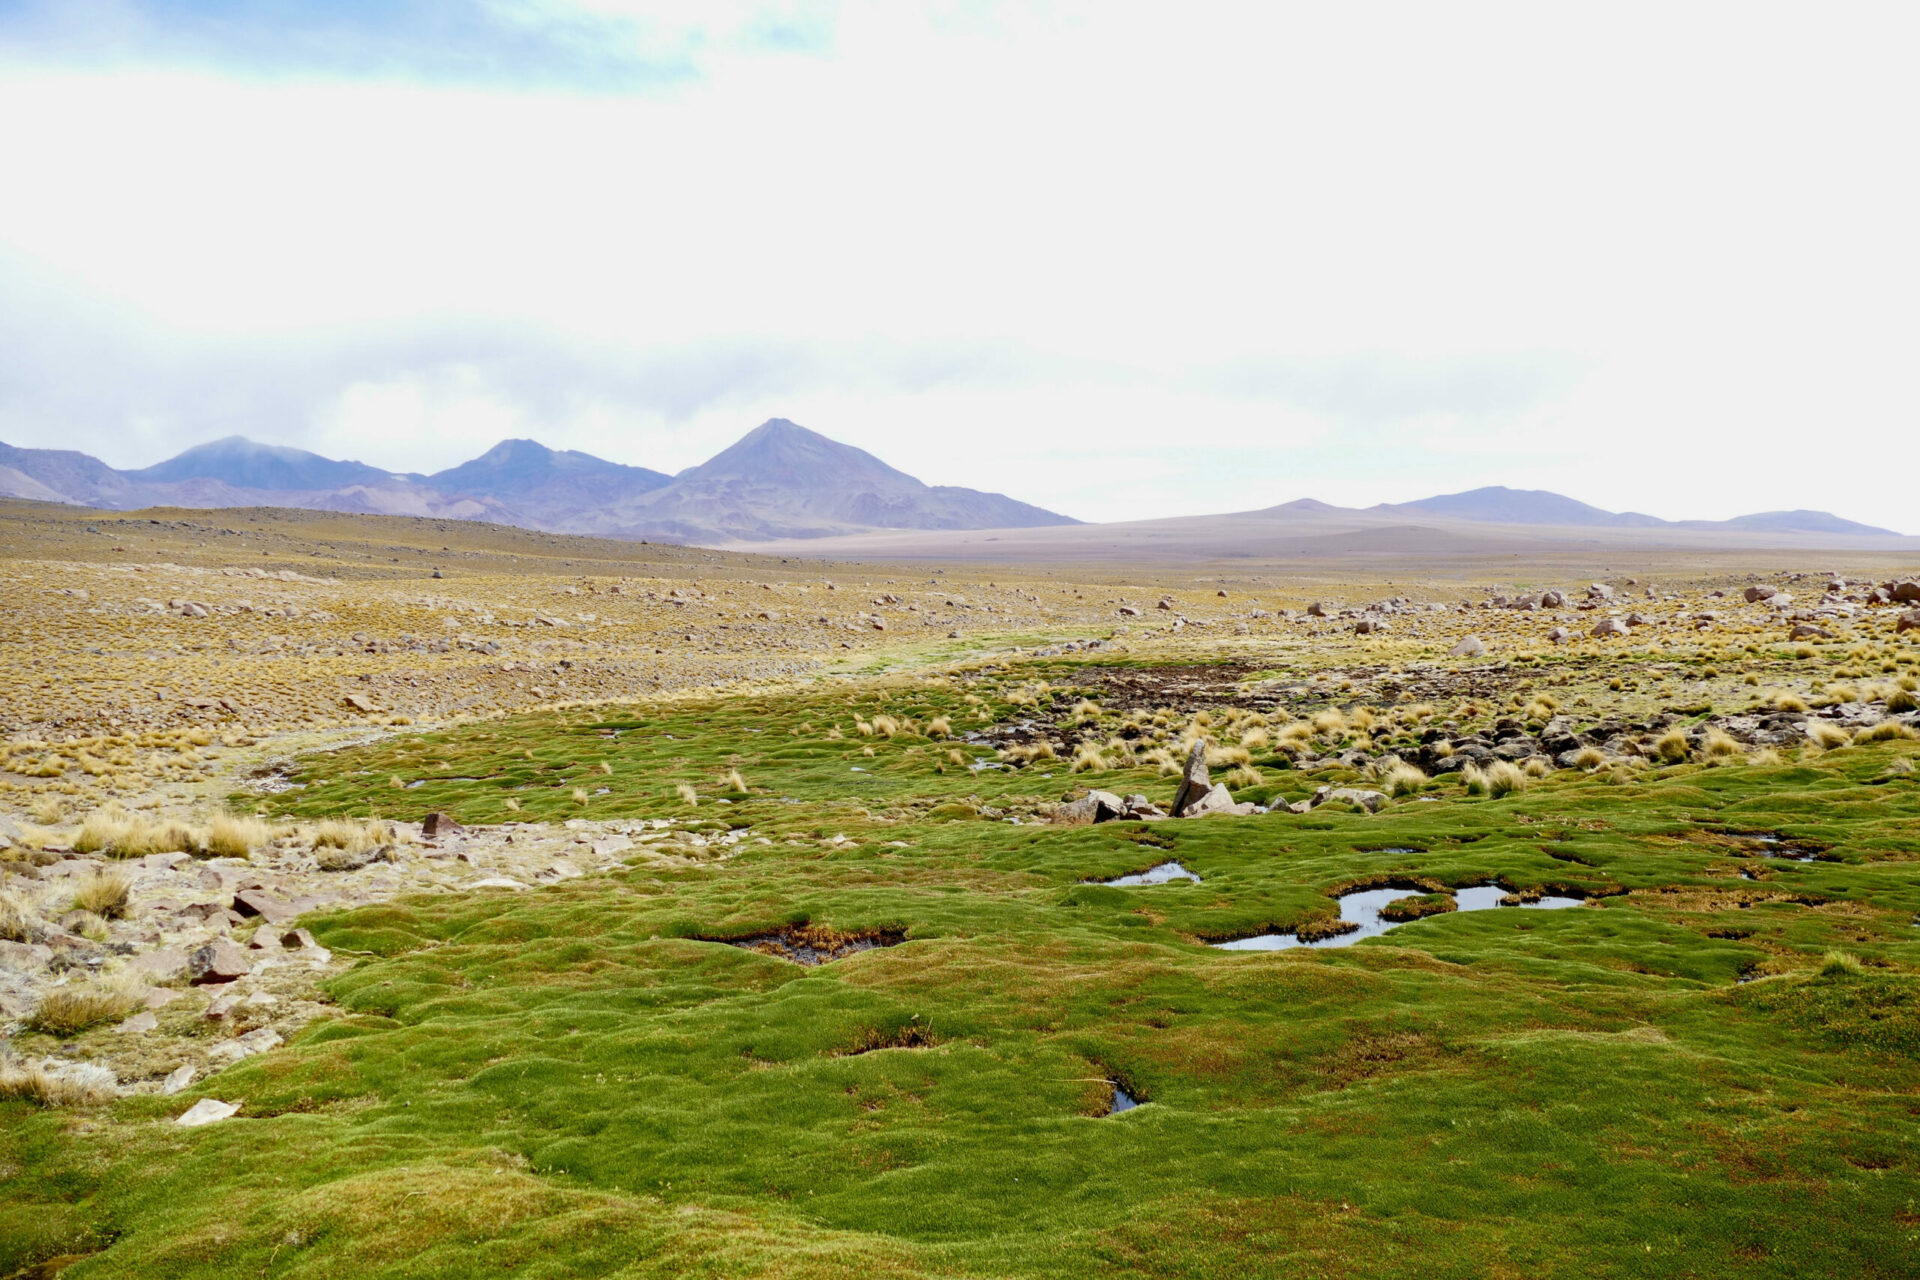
(780, 483)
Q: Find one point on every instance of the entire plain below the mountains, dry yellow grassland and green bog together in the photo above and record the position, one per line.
(514, 903)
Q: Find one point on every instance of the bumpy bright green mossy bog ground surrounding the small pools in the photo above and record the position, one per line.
(1710, 1070)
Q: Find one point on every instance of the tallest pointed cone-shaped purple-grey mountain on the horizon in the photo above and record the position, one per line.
(784, 481)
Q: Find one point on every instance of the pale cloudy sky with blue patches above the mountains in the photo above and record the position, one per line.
(1116, 260)
